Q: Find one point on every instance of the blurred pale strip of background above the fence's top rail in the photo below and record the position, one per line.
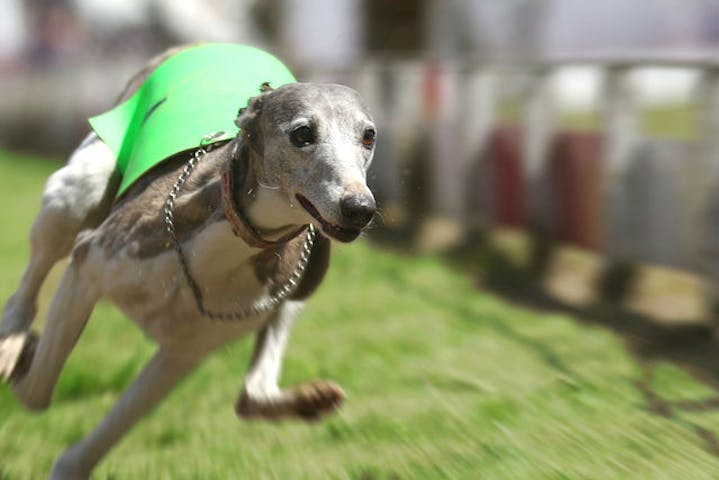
(327, 33)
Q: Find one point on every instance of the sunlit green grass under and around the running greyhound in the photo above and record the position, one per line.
(444, 381)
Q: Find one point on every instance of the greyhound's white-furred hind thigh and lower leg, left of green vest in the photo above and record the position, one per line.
(76, 197)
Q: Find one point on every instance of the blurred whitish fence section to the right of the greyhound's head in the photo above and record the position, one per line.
(657, 200)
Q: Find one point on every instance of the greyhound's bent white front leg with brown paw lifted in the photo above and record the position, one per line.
(261, 396)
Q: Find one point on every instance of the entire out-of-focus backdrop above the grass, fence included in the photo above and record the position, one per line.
(589, 123)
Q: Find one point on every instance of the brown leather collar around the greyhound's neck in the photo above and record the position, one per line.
(240, 224)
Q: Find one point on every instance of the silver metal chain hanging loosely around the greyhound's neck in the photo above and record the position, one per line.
(262, 304)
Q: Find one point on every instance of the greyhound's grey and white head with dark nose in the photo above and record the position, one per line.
(314, 143)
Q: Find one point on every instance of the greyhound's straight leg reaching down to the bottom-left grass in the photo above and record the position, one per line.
(157, 379)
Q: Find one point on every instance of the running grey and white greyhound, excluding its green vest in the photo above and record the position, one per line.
(201, 250)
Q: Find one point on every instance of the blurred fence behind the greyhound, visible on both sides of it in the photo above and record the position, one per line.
(484, 145)
